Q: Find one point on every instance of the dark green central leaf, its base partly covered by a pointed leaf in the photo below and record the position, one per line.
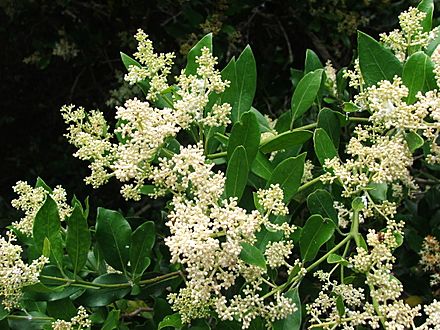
(245, 133)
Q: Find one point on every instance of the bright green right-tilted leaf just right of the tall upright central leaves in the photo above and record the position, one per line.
(305, 93)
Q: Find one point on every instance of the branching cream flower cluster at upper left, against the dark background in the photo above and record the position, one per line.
(142, 129)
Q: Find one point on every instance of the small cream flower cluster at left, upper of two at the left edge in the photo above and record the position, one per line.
(31, 199)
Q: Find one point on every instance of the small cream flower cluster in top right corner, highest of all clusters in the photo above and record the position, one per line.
(411, 35)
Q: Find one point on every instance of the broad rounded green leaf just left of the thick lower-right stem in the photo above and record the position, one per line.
(315, 233)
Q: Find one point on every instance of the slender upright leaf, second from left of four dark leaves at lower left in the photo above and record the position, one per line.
(78, 239)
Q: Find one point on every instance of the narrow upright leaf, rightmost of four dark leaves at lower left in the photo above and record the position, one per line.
(142, 241)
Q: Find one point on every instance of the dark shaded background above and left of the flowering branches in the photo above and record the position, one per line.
(54, 52)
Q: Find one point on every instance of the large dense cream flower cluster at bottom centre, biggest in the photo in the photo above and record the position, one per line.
(206, 236)
